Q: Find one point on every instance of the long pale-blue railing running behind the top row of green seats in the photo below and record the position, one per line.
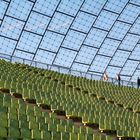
(65, 70)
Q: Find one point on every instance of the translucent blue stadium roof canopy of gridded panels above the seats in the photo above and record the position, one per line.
(91, 36)
